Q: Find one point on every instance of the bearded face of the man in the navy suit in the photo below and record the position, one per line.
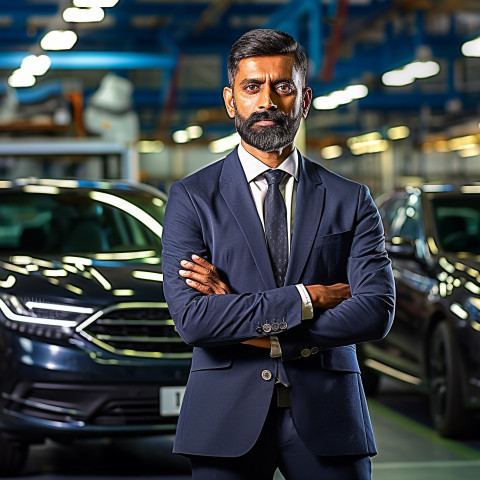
(267, 101)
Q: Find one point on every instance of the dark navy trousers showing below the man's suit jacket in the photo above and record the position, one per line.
(279, 446)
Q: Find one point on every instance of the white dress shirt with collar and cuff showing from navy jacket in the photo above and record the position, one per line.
(254, 170)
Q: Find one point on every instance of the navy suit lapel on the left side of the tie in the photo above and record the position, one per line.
(236, 193)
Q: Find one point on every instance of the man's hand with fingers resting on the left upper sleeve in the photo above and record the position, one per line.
(202, 276)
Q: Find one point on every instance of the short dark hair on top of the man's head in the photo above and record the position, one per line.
(265, 41)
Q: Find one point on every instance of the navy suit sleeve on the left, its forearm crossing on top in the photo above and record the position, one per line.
(212, 320)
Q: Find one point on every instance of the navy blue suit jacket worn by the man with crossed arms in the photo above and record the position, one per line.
(337, 237)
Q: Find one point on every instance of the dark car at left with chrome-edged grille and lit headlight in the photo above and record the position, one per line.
(87, 344)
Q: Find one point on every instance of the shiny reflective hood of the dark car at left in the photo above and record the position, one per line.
(93, 282)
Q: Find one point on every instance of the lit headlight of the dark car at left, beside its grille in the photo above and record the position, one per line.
(40, 317)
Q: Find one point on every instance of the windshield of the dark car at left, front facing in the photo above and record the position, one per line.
(98, 223)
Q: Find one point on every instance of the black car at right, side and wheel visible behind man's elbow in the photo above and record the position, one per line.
(433, 238)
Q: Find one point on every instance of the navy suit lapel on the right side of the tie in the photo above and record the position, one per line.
(308, 212)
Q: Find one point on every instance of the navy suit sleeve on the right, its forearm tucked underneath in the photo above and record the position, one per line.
(368, 314)
